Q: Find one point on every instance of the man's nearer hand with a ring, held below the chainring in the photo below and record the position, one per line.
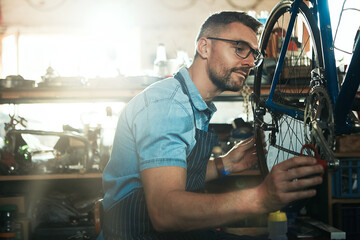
(289, 181)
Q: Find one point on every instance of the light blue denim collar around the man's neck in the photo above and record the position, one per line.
(195, 96)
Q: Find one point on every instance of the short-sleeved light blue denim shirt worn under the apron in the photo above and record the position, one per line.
(156, 128)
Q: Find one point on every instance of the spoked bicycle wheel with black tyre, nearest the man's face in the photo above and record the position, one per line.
(286, 134)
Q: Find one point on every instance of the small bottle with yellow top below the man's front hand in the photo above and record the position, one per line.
(277, 225)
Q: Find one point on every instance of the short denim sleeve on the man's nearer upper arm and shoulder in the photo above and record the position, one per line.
(164, 133)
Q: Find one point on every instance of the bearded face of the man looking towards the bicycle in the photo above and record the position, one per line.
(226, 69)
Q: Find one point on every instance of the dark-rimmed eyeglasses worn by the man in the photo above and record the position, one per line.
(243, 50)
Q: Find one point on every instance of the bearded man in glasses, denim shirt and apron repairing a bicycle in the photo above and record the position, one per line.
(159, 162)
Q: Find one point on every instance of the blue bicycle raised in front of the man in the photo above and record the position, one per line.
(306, 104)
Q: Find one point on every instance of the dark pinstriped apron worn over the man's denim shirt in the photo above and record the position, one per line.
(129, 219)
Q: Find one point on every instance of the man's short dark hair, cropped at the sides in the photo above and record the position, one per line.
(216, 23)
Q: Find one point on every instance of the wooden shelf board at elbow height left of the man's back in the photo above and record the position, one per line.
(51, 176)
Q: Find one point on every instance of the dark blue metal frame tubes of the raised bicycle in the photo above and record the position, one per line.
(342, 99)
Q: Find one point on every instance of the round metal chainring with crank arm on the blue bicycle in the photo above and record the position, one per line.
(319, 127)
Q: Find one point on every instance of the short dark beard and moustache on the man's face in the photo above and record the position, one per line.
(224, 82)
